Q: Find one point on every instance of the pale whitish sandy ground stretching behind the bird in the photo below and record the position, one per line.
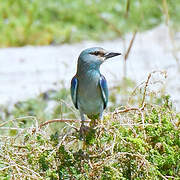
(27, 71)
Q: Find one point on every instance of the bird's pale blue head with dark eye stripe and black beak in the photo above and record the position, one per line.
(95, 56)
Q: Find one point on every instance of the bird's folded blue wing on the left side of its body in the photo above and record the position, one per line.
(74, 86)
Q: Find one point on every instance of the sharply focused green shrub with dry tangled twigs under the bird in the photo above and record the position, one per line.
(130, 143)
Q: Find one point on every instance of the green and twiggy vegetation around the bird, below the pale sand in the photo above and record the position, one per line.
(130, 143)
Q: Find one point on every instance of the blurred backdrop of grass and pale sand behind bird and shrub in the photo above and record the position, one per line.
(41, 41)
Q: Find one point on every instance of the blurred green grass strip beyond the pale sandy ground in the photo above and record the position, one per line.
(54, 22)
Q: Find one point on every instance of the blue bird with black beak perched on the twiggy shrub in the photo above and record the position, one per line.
(89, 90)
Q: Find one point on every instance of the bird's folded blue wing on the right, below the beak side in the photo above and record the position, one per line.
(104, 90)
